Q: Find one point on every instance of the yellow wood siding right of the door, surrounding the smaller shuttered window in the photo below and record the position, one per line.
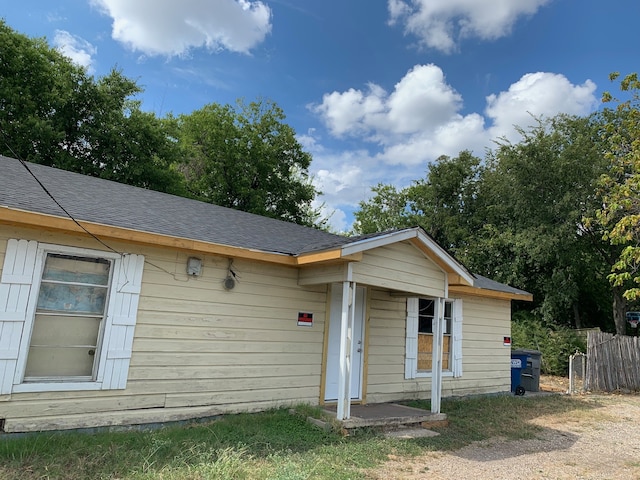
(486, 362)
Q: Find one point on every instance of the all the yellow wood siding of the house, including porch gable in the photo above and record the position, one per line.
(200, 350)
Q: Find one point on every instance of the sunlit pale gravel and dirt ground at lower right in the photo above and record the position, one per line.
(601, 444)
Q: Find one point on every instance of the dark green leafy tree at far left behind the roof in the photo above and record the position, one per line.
(53, 113)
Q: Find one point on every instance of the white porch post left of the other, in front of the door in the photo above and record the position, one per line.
(346, 345)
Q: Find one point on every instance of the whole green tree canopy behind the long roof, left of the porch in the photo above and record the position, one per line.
(52, 112)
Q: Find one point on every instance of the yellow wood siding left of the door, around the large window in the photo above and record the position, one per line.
(198, 349)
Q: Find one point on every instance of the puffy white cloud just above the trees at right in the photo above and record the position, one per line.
(534, 95)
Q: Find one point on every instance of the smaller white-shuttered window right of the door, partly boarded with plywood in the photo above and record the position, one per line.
(421, 329)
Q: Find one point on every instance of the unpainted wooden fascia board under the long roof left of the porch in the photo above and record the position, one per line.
(14, 217)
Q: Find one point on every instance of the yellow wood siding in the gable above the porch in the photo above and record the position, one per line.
(400, 267)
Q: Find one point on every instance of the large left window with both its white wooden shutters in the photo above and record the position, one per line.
(67, 316)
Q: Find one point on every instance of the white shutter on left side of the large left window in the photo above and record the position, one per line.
(15, 287)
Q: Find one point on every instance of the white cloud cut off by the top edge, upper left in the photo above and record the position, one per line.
(167, 27)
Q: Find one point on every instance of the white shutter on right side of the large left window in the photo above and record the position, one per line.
(121, 322)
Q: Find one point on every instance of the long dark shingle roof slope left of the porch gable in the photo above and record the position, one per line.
(101, 201)
